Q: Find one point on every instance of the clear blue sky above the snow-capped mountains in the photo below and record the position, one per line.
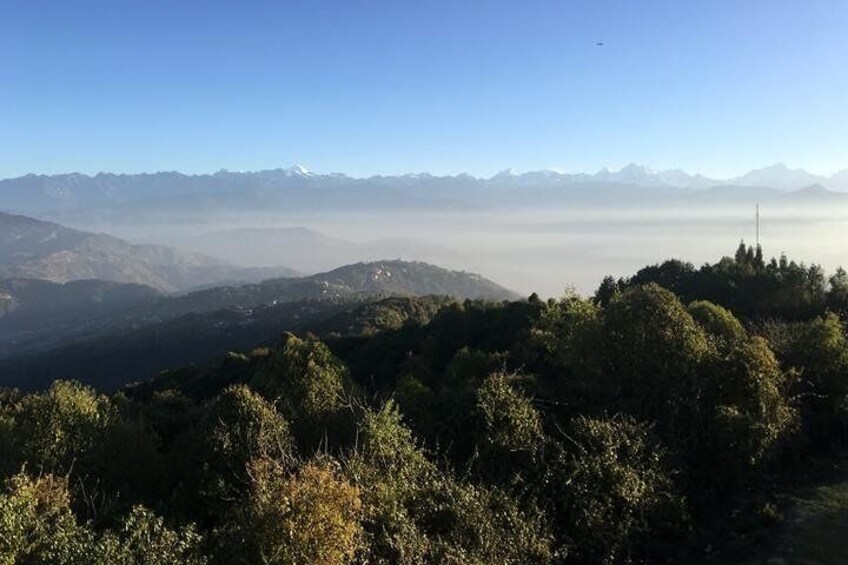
(368, 87)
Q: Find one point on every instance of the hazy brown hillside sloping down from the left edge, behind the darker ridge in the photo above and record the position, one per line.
(35, 249)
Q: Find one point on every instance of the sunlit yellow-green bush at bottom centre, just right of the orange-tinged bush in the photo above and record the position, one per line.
(416, 513)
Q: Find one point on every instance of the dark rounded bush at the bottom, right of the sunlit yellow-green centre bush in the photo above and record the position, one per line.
(614, 493)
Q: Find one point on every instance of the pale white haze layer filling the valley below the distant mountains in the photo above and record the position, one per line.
(529, 251)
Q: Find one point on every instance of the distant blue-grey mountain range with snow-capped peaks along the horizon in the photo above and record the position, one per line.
(296, 188)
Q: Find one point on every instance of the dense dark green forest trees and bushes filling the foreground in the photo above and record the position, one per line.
(652, 422)
